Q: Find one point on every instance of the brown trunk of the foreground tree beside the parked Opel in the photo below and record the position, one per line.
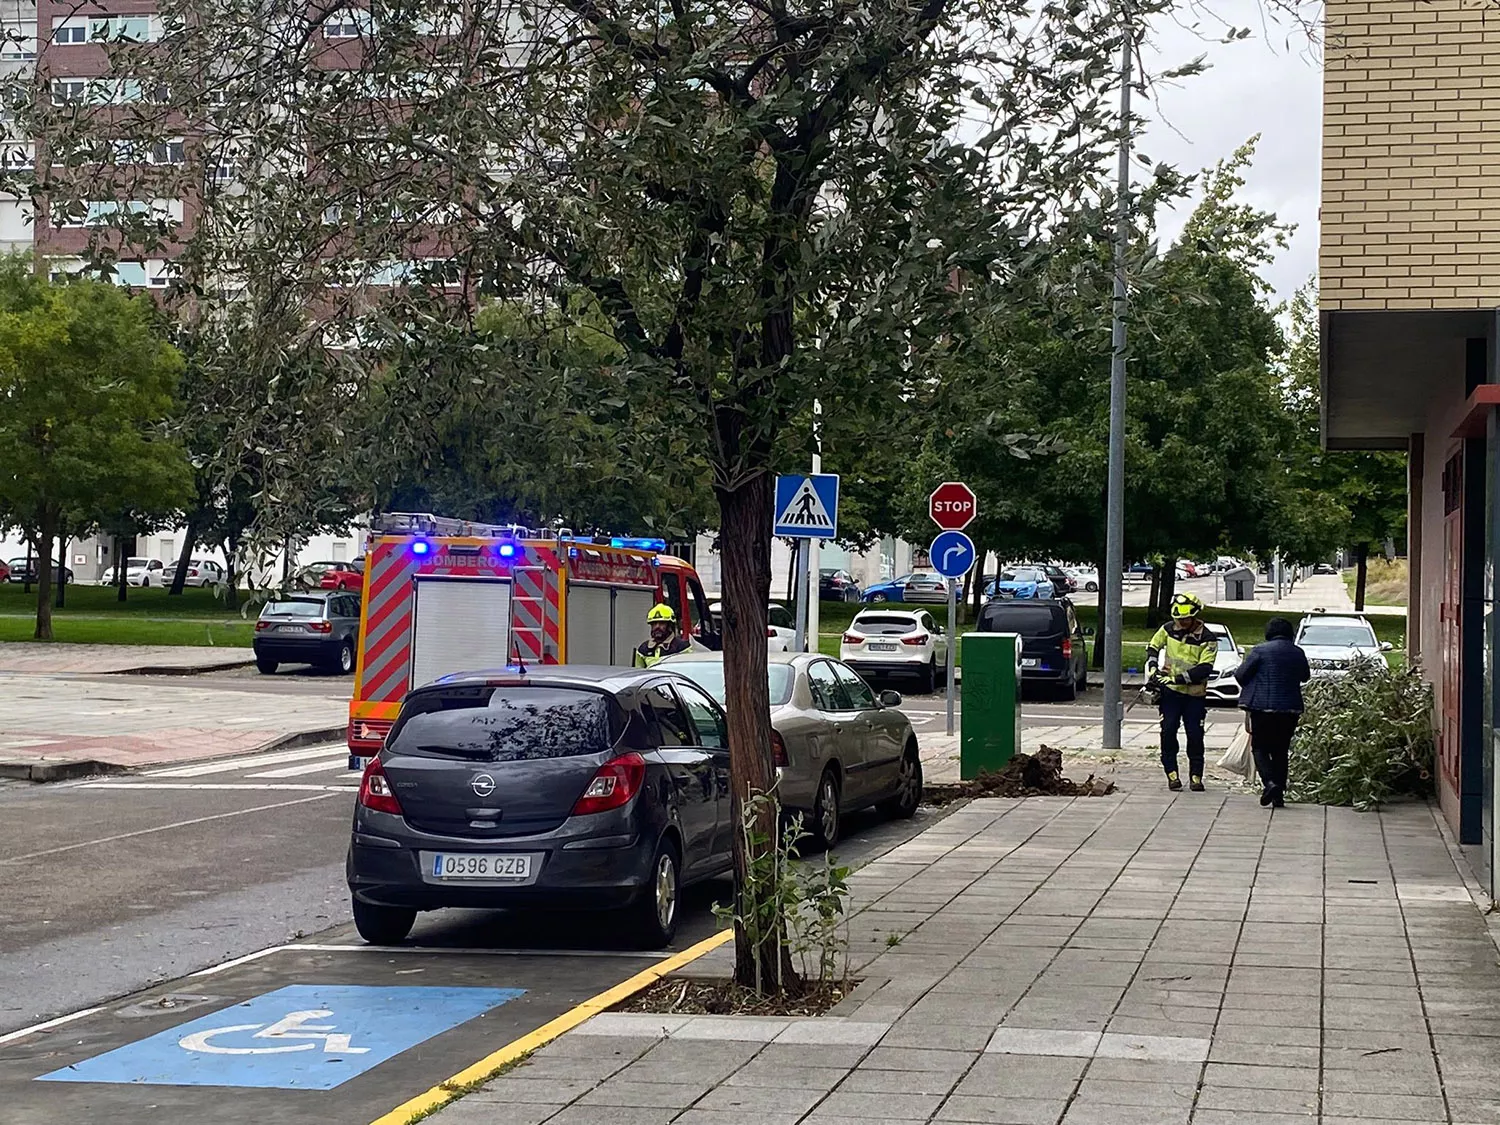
(745, 539)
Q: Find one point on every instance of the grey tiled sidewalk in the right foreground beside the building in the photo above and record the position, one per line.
(1133, 961)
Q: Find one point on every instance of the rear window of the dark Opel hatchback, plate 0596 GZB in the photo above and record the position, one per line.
(514, 725)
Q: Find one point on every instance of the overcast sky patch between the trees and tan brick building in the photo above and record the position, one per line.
(1264, 86)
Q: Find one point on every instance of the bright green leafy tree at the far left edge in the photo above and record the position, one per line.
(86, 385)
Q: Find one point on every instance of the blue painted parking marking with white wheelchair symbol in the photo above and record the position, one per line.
(305, 1037)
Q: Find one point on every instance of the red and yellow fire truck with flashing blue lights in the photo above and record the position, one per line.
(451, 596)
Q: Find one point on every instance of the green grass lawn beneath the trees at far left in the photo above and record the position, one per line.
(94, 616)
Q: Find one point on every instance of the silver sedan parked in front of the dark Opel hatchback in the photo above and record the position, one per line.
(839, 748)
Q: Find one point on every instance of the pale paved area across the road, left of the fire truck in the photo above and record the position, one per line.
(52, 721)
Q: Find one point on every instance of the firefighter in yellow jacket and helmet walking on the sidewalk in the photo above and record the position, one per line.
(1180, 662)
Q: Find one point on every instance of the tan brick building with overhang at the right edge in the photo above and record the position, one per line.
(1411, 340)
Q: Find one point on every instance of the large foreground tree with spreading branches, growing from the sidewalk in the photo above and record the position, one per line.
(763, 206)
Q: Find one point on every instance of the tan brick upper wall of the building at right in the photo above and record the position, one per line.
(1411, 214)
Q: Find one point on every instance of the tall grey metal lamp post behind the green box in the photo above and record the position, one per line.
(1115, 505)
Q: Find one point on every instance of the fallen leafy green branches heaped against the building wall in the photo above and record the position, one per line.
(1364, 739)
